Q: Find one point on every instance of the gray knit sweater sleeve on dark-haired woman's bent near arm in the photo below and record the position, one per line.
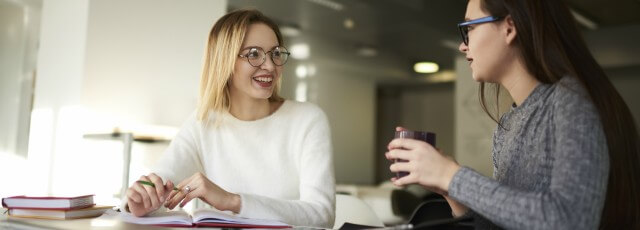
(575, 197)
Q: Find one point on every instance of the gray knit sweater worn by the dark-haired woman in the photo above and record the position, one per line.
(551, 165)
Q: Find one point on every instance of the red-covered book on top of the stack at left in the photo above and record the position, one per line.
(49, 203)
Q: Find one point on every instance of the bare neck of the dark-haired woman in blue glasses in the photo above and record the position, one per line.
(519, 83)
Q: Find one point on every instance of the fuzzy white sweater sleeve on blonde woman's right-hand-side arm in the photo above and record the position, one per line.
(316, 206)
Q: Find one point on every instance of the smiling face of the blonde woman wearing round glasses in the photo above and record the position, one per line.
(256, 82)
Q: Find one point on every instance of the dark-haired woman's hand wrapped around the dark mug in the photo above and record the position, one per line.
(426, 165)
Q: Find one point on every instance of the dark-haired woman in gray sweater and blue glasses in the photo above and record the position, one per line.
(565, 155)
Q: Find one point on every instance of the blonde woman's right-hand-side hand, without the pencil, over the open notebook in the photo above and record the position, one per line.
(199, 186)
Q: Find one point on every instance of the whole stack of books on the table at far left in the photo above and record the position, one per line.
(61, 208)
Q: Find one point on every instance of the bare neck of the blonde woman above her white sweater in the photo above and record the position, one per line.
(249, 109)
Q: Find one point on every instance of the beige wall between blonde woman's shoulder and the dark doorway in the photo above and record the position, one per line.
(348, 99)
